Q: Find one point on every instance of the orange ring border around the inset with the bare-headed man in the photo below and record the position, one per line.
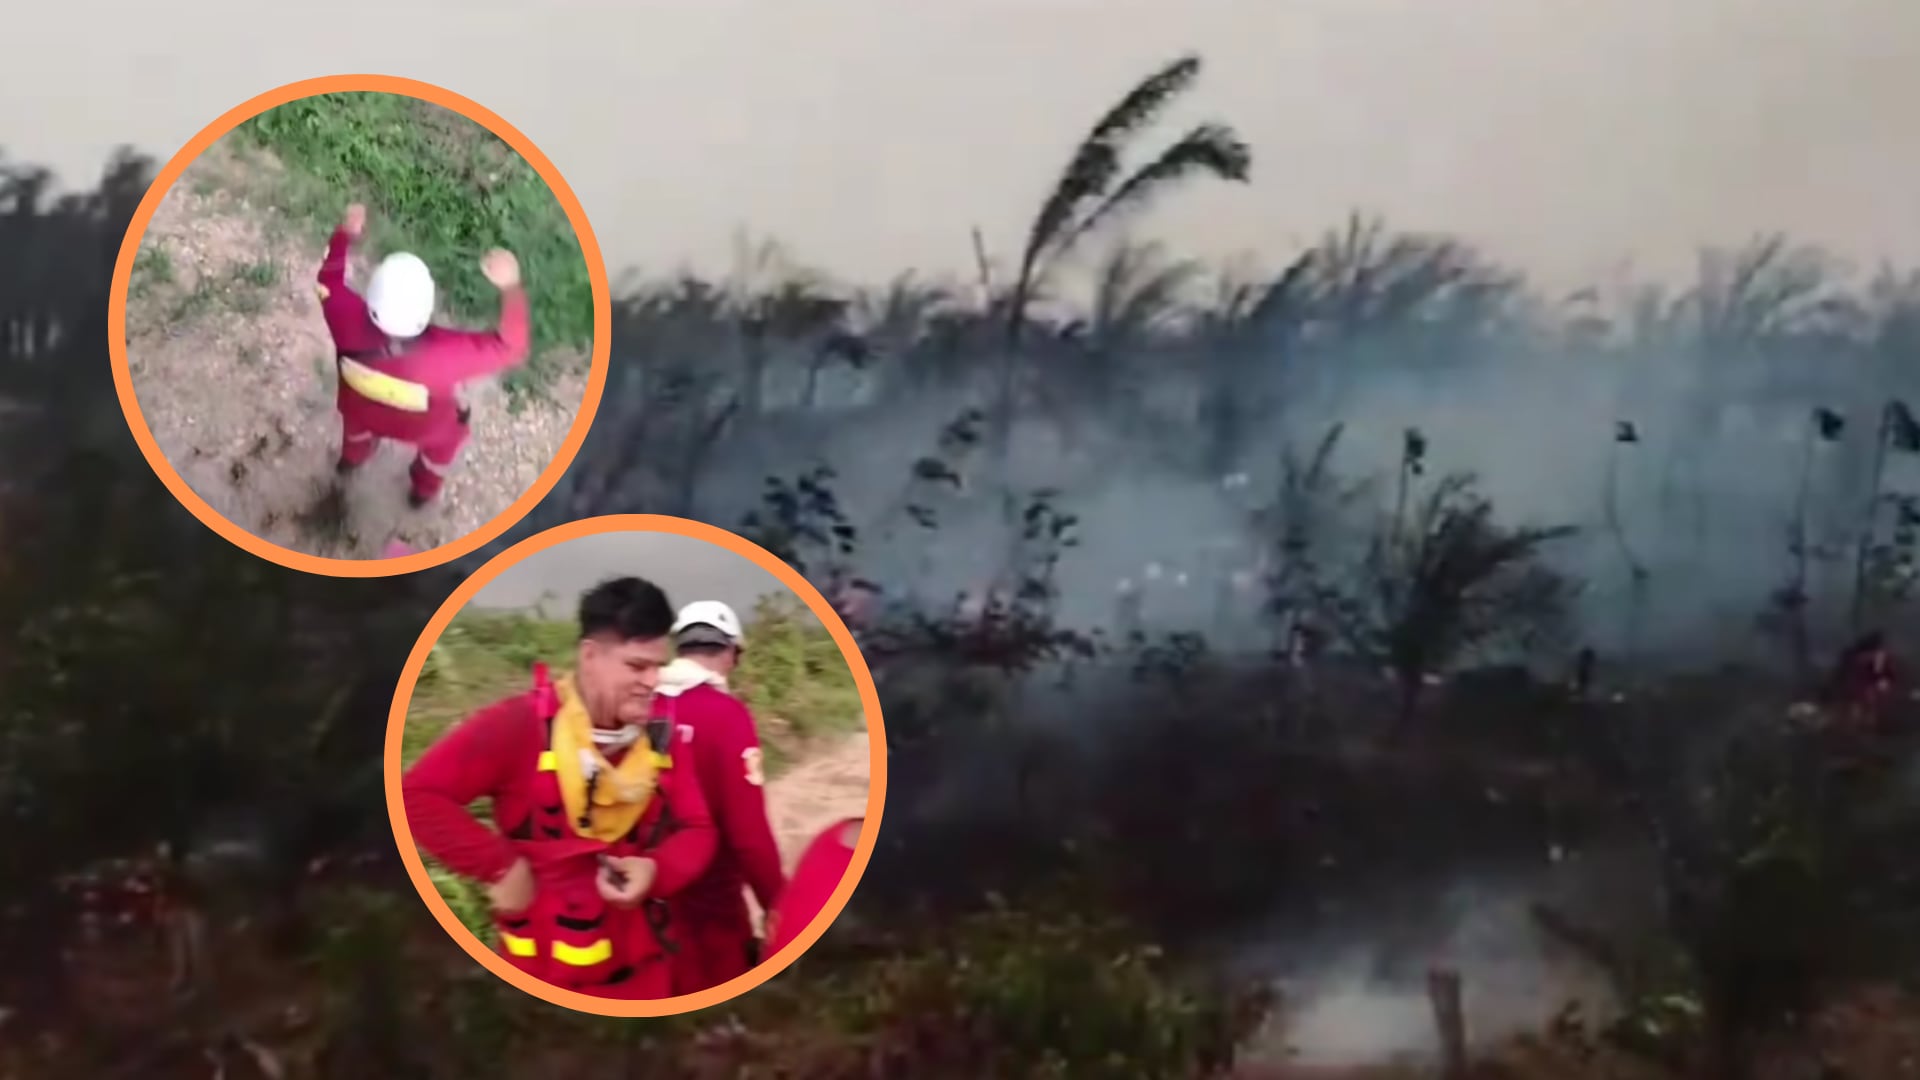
(876, 793)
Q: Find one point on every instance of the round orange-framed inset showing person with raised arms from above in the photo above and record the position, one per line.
(360, 326)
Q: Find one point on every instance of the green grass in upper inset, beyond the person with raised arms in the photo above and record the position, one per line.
(444, 189)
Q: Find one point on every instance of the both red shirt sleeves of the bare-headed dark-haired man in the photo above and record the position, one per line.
(494, 756)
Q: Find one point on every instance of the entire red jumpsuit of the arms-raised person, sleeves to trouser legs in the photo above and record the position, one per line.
(427, 370)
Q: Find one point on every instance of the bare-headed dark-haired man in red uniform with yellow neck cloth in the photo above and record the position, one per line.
(600, 822)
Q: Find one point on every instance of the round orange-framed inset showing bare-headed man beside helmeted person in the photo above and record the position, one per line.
(636, 766)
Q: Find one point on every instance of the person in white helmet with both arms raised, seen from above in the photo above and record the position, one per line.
(398, 374)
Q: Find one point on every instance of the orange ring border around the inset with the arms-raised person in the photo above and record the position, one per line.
(588, 401)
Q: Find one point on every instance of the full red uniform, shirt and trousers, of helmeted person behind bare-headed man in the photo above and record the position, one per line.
(719, 737)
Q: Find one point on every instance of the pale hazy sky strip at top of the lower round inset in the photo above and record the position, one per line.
(688, 570)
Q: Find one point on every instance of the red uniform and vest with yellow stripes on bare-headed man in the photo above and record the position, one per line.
(569, 937)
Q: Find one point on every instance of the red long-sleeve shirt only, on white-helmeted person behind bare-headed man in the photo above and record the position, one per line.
(727, 756)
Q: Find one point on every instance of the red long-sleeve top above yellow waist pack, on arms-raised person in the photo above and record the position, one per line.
(441, 358)
